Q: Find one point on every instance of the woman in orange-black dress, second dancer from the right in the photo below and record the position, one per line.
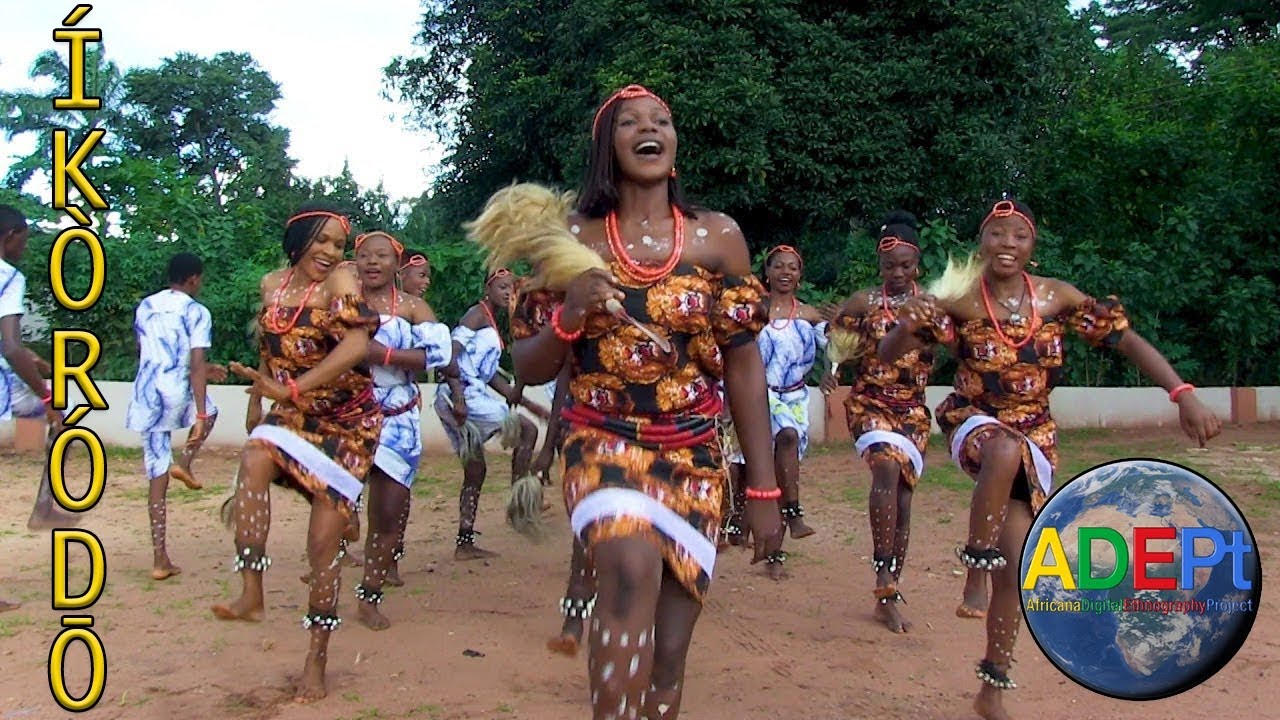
(885, 409)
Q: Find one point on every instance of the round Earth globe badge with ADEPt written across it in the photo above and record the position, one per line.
(1141, 580)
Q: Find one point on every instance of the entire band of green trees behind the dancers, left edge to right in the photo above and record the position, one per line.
(1141, 133)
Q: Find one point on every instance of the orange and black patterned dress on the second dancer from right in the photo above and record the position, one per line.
(886, 412)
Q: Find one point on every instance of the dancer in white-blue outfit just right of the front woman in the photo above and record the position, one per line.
(789, 348)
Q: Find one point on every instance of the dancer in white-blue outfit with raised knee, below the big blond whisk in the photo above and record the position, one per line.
(487, 399)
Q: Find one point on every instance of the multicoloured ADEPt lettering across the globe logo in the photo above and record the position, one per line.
(1050, 545)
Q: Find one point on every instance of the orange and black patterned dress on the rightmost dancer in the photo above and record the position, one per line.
(1002, 390)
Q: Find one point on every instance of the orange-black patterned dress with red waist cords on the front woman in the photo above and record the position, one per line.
(642, 450)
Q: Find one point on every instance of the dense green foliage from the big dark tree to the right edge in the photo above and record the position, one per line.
(810, 121)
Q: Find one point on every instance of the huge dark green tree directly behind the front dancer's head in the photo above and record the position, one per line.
(804, 121)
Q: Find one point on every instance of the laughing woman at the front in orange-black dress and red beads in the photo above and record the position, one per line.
(643, 470)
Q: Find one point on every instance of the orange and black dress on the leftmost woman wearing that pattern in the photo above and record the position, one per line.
(327, 446)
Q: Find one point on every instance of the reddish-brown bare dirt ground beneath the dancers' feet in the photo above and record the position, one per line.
(807, 648)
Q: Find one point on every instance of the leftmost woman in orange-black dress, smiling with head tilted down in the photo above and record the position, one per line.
(321, 436)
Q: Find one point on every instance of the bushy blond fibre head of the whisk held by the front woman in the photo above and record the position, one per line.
(531, 222)
